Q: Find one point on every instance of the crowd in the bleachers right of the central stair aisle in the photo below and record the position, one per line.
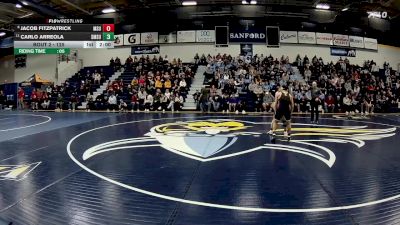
(241, 83)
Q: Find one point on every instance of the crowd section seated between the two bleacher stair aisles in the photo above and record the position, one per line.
(157, 85)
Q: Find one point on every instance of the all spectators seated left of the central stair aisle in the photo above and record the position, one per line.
(156, 85)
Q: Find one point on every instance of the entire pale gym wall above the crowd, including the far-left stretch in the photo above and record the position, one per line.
(45, 65)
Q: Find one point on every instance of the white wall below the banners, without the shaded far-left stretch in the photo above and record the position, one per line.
(94, 57)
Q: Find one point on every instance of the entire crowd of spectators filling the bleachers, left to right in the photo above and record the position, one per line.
(233, 84)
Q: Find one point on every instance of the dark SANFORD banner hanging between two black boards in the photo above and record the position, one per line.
(248, 36)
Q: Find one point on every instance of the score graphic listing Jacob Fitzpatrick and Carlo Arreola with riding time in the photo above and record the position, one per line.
(58, 36)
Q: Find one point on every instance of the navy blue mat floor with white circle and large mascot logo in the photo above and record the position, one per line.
(183, 168)
